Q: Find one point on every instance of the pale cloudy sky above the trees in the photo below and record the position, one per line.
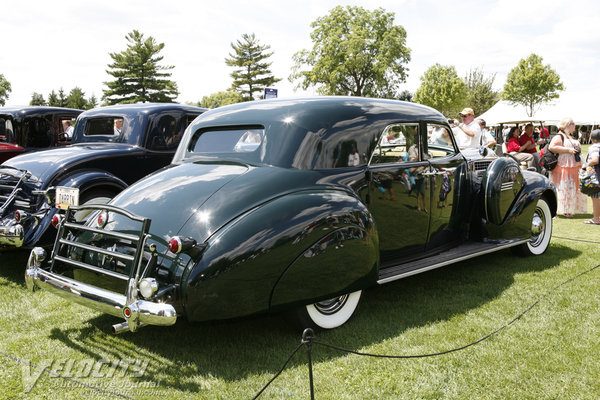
(49, 45)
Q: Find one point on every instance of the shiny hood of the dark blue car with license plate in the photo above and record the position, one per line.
(46, 164)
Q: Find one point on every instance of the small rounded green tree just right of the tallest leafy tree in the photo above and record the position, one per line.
(442, 89)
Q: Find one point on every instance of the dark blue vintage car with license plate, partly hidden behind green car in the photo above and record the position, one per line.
(112, 148)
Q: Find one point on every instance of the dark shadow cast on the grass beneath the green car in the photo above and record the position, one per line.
(233, 350)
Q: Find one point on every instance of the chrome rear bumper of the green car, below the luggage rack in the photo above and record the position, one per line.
(137, 313)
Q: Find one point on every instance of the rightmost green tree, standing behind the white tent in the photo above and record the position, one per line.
(531, 84)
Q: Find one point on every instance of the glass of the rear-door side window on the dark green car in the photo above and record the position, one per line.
(398, 143)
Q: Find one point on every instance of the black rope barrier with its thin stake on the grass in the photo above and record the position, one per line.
(308, 339)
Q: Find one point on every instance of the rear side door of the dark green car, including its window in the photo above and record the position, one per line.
(399, 192)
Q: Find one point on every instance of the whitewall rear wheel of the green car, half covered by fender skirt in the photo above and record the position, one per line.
(329, 314)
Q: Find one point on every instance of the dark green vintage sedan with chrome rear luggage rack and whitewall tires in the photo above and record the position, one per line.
(292, 204)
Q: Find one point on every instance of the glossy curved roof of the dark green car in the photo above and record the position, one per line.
(305, 132)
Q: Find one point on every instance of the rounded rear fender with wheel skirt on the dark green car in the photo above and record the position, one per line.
(258, 260)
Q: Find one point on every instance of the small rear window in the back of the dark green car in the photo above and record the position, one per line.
(242, 140)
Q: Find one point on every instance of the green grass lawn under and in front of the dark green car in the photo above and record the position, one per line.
(552, 352)
